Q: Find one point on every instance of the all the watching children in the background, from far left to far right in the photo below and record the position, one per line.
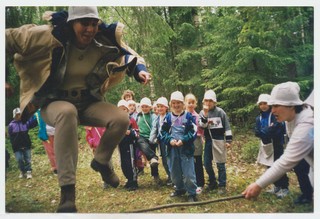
(178, 133)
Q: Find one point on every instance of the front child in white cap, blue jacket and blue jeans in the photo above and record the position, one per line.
(178, 134)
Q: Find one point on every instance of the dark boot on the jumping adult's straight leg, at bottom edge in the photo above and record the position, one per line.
(67, 199)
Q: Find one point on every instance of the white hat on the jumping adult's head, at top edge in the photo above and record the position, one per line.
(78, 12)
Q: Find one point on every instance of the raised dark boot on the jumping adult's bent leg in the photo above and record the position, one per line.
(107, 173)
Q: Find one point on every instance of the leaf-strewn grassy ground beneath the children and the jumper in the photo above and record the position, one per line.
(41, 193)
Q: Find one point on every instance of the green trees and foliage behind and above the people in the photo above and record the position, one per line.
(239, 52)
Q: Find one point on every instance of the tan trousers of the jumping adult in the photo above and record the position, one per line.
(65, 117)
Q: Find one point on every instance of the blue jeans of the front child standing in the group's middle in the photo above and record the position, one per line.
(182, 171)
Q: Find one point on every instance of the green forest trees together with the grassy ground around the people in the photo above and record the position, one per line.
(239, 52)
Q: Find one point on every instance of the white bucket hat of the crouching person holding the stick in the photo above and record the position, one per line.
(286, 94)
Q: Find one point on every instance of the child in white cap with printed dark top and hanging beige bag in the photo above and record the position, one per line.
(218, 136)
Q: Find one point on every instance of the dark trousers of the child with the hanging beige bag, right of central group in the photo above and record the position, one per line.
(222, 176)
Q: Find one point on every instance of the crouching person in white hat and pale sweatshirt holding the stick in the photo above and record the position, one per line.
(287, 106)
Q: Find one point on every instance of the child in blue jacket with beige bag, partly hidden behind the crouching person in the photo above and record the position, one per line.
(271, 134)
